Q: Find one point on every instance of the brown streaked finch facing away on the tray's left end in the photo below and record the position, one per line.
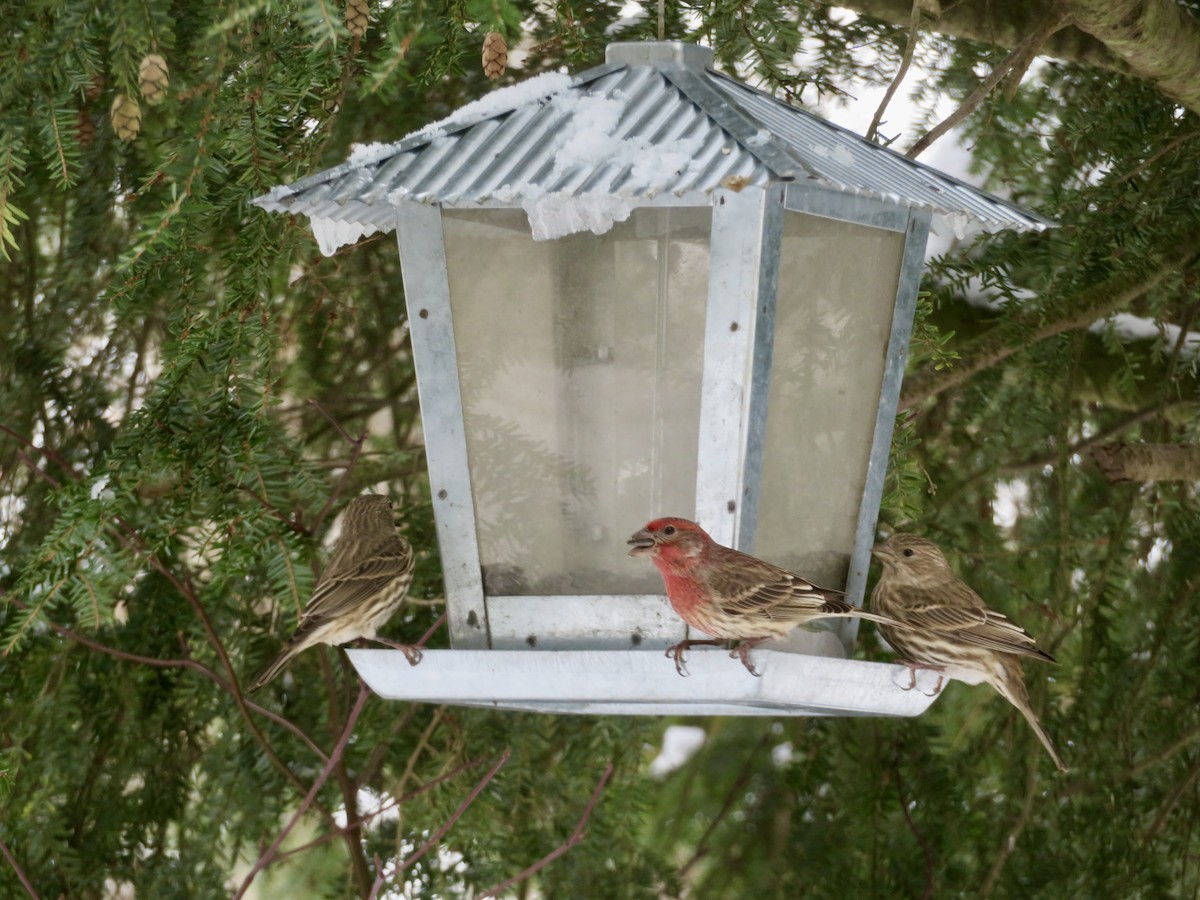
(365, 583)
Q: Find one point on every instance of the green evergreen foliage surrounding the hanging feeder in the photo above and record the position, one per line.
(185, 379)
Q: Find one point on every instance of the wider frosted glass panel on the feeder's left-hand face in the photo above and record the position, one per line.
(580, 363)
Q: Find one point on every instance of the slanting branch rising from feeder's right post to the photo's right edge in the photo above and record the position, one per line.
(1077, 313)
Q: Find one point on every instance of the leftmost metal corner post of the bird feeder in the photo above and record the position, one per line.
(423, 260)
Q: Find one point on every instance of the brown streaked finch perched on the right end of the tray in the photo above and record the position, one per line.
(950, 629)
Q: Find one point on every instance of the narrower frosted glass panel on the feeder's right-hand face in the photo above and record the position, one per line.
(837, 292)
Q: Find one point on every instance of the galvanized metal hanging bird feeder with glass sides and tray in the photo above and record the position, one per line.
(649, 290)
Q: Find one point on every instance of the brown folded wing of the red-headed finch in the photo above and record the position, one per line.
(753, 589)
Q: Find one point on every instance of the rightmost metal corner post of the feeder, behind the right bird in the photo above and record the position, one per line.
(911, 266)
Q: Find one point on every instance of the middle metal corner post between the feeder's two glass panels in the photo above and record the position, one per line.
(740, 329)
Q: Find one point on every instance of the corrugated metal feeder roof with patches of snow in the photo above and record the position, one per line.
(653, 121)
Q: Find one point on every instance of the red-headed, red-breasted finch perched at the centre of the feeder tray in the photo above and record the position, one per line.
(729, 595)
